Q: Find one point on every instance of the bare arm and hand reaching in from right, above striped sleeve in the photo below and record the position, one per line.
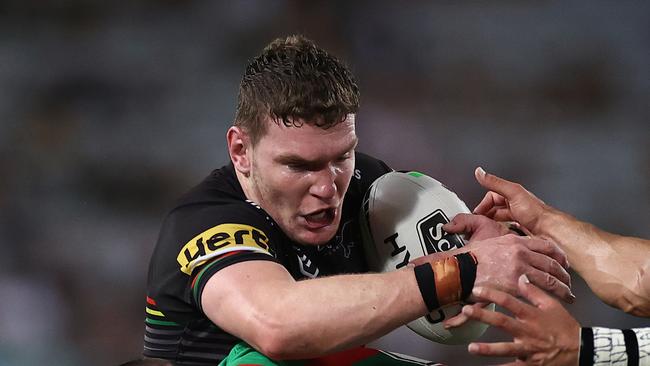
(615, 267)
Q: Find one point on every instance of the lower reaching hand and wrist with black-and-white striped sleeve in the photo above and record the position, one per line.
(545, 333)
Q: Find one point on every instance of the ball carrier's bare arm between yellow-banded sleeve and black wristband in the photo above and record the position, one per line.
(259, 302)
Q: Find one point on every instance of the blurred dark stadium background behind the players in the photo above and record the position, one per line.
(109, 110)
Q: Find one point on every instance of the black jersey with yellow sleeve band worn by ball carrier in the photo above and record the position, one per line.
(214, 226)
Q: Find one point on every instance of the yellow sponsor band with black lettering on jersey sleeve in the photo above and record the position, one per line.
(219, 240)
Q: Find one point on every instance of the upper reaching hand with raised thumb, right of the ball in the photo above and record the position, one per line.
(509, 201)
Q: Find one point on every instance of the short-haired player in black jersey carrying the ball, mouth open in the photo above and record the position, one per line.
(267, 250)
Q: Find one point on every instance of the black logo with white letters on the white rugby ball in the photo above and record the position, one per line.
(433, 238)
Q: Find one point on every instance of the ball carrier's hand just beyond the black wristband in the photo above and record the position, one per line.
(501, 260)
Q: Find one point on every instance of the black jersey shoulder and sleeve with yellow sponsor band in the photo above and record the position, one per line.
(212, 219)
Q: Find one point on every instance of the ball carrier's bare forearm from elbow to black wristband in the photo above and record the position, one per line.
(335, 313)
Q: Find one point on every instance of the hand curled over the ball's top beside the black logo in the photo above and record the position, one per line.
(475, 227)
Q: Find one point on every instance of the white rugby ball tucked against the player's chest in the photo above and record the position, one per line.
(403, 214)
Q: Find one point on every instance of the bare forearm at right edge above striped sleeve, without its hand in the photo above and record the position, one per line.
(615, 267)
